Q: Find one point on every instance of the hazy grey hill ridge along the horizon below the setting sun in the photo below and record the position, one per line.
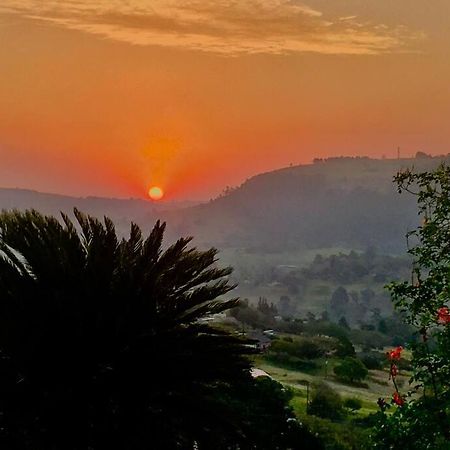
(337, 202)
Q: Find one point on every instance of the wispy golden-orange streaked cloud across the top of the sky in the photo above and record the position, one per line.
(228, 27)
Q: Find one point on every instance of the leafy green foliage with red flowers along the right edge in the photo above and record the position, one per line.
(423, 420)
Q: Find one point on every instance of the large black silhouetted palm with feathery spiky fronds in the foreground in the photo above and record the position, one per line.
(104, 342)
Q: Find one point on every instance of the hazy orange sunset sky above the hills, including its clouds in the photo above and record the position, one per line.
(110, 97)
